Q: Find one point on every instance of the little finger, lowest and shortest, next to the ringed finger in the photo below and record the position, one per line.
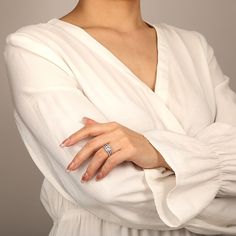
(111, 162)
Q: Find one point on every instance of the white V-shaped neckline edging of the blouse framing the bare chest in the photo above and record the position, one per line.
(161, 77)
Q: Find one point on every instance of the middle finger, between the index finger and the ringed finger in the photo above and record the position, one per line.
(88, 149)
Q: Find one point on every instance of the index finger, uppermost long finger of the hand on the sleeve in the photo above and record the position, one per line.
(90, 130)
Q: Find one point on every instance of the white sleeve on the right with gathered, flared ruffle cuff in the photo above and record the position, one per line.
(204, 166)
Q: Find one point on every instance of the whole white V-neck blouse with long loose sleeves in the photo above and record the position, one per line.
(59, 73)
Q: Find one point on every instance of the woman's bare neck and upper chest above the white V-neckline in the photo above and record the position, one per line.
(118, 25)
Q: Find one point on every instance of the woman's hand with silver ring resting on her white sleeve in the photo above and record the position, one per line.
(127, 145)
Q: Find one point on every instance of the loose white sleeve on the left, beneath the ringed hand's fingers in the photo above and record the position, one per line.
(49, 105)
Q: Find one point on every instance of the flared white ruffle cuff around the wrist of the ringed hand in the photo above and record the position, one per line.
(195, 179)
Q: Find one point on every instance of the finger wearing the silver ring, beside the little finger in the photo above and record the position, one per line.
(98, 160)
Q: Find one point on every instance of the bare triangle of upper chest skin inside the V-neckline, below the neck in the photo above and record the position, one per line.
(136, 51)
